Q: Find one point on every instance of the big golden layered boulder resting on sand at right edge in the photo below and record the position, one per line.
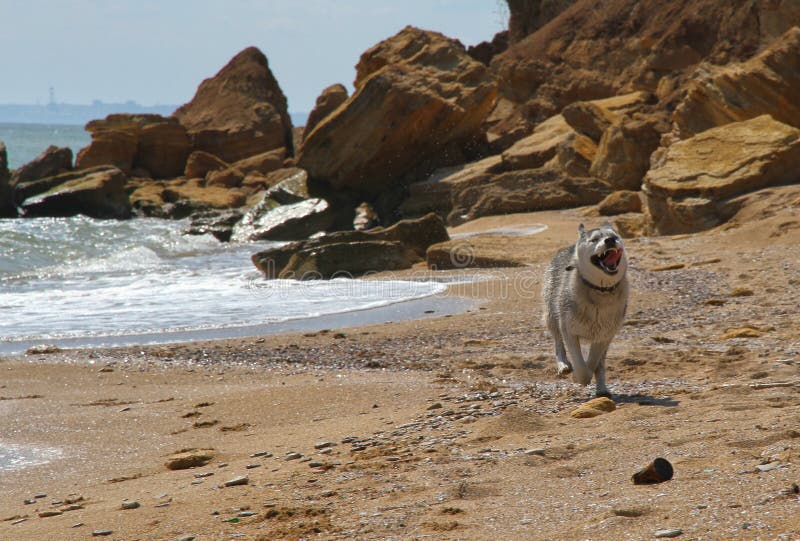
(688, 189)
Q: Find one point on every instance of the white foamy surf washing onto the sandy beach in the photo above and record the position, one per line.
(78, 282)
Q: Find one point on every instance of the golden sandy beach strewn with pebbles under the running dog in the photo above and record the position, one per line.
(448, 427)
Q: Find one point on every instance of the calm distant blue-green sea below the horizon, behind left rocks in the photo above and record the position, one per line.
(25, 142)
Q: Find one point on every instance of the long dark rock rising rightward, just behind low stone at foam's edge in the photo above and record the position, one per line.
(415, 235)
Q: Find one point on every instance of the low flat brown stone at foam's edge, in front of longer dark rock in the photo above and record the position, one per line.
(348, 260)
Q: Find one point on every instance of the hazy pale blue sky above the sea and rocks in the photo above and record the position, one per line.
(158, 51)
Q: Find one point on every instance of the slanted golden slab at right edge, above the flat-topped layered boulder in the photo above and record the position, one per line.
(769, 83)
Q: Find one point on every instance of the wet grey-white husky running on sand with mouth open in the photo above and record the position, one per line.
(586, 294)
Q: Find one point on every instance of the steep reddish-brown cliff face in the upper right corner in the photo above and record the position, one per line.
(590, 51)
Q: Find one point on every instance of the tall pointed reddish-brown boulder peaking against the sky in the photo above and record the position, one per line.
(239, 112)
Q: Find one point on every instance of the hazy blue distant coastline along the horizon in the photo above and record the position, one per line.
(80, 114)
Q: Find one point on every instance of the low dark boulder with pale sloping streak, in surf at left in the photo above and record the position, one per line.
(98, 192)
